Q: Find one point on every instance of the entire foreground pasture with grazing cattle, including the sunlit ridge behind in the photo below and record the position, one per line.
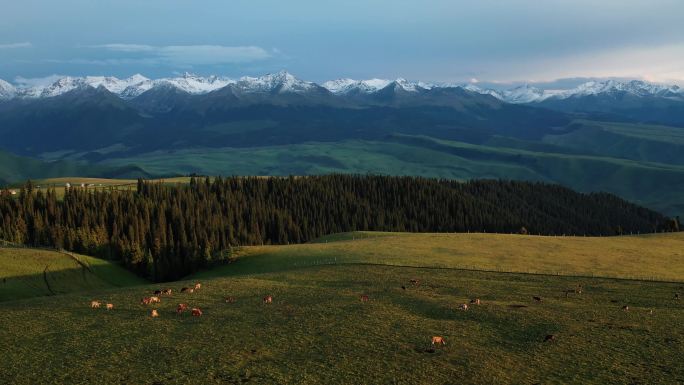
(317, 331)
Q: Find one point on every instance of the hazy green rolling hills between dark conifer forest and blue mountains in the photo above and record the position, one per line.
(644, 181)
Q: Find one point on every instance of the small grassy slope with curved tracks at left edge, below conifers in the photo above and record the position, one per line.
(28, 273)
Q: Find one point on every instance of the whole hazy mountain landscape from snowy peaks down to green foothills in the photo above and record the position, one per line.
(213, 125)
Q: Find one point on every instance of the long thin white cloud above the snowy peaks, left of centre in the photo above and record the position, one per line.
(193, 54)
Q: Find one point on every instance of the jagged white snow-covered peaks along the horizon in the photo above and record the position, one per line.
(284, 82)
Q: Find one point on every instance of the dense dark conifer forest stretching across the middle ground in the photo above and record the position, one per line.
(165, 232)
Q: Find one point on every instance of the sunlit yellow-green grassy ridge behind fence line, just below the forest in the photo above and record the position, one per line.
(651, 257)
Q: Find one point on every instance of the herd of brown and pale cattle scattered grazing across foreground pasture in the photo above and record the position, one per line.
(197, 312)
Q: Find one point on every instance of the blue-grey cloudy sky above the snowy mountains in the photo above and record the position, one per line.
(504, 41)
